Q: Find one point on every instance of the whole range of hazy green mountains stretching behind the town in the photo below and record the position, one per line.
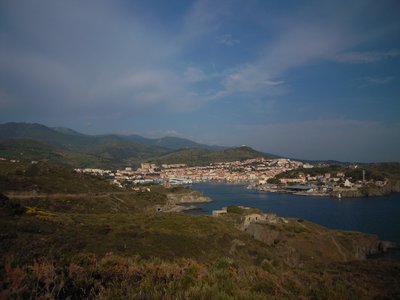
(66, 146)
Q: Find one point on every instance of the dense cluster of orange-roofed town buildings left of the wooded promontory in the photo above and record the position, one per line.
(257, 170)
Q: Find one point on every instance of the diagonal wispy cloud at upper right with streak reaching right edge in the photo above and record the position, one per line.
(317, 33)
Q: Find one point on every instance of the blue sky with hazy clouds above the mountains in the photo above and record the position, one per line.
(302, 79)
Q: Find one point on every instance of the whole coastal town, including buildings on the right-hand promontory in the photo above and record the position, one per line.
(258, 173)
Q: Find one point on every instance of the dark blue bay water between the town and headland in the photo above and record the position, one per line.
(378, 215)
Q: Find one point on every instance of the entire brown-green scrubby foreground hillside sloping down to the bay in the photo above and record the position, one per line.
(71, 235)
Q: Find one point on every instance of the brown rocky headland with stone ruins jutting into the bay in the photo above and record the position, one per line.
(297, 238)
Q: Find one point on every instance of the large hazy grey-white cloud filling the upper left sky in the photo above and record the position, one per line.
(75, 54)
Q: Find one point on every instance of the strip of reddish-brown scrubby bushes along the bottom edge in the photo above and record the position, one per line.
(115, 277)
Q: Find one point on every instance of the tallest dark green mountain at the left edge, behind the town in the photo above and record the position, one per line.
(69, 147)
